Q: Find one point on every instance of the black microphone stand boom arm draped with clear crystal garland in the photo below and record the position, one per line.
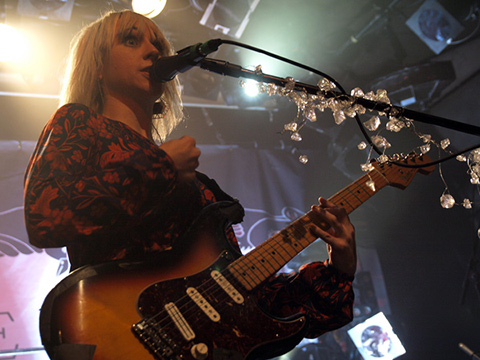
(233, 70)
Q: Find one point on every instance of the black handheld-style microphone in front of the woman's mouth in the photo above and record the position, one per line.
(166, 68)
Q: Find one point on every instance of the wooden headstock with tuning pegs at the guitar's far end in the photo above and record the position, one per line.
(400, 170)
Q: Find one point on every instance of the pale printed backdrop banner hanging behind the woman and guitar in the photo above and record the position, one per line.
(271, 184)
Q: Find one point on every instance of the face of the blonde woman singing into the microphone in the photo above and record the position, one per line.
(126, 74)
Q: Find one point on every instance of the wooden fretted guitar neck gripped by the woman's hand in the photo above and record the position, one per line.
(266, 259)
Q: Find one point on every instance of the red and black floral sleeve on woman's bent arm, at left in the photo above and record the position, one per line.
(85, 179)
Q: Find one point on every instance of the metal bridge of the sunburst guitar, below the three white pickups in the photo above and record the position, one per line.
(156, 340)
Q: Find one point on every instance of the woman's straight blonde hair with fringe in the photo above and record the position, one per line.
(90, 51)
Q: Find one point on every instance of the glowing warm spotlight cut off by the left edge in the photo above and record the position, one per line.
(14, 47)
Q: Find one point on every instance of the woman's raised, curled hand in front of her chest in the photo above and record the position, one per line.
(184, 154)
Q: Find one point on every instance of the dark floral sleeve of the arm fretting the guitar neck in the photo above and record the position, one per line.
(319, 292)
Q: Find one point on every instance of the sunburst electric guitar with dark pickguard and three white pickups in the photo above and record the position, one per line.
(194, 302)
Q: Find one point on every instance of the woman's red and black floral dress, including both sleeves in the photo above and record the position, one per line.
(105, 192)
